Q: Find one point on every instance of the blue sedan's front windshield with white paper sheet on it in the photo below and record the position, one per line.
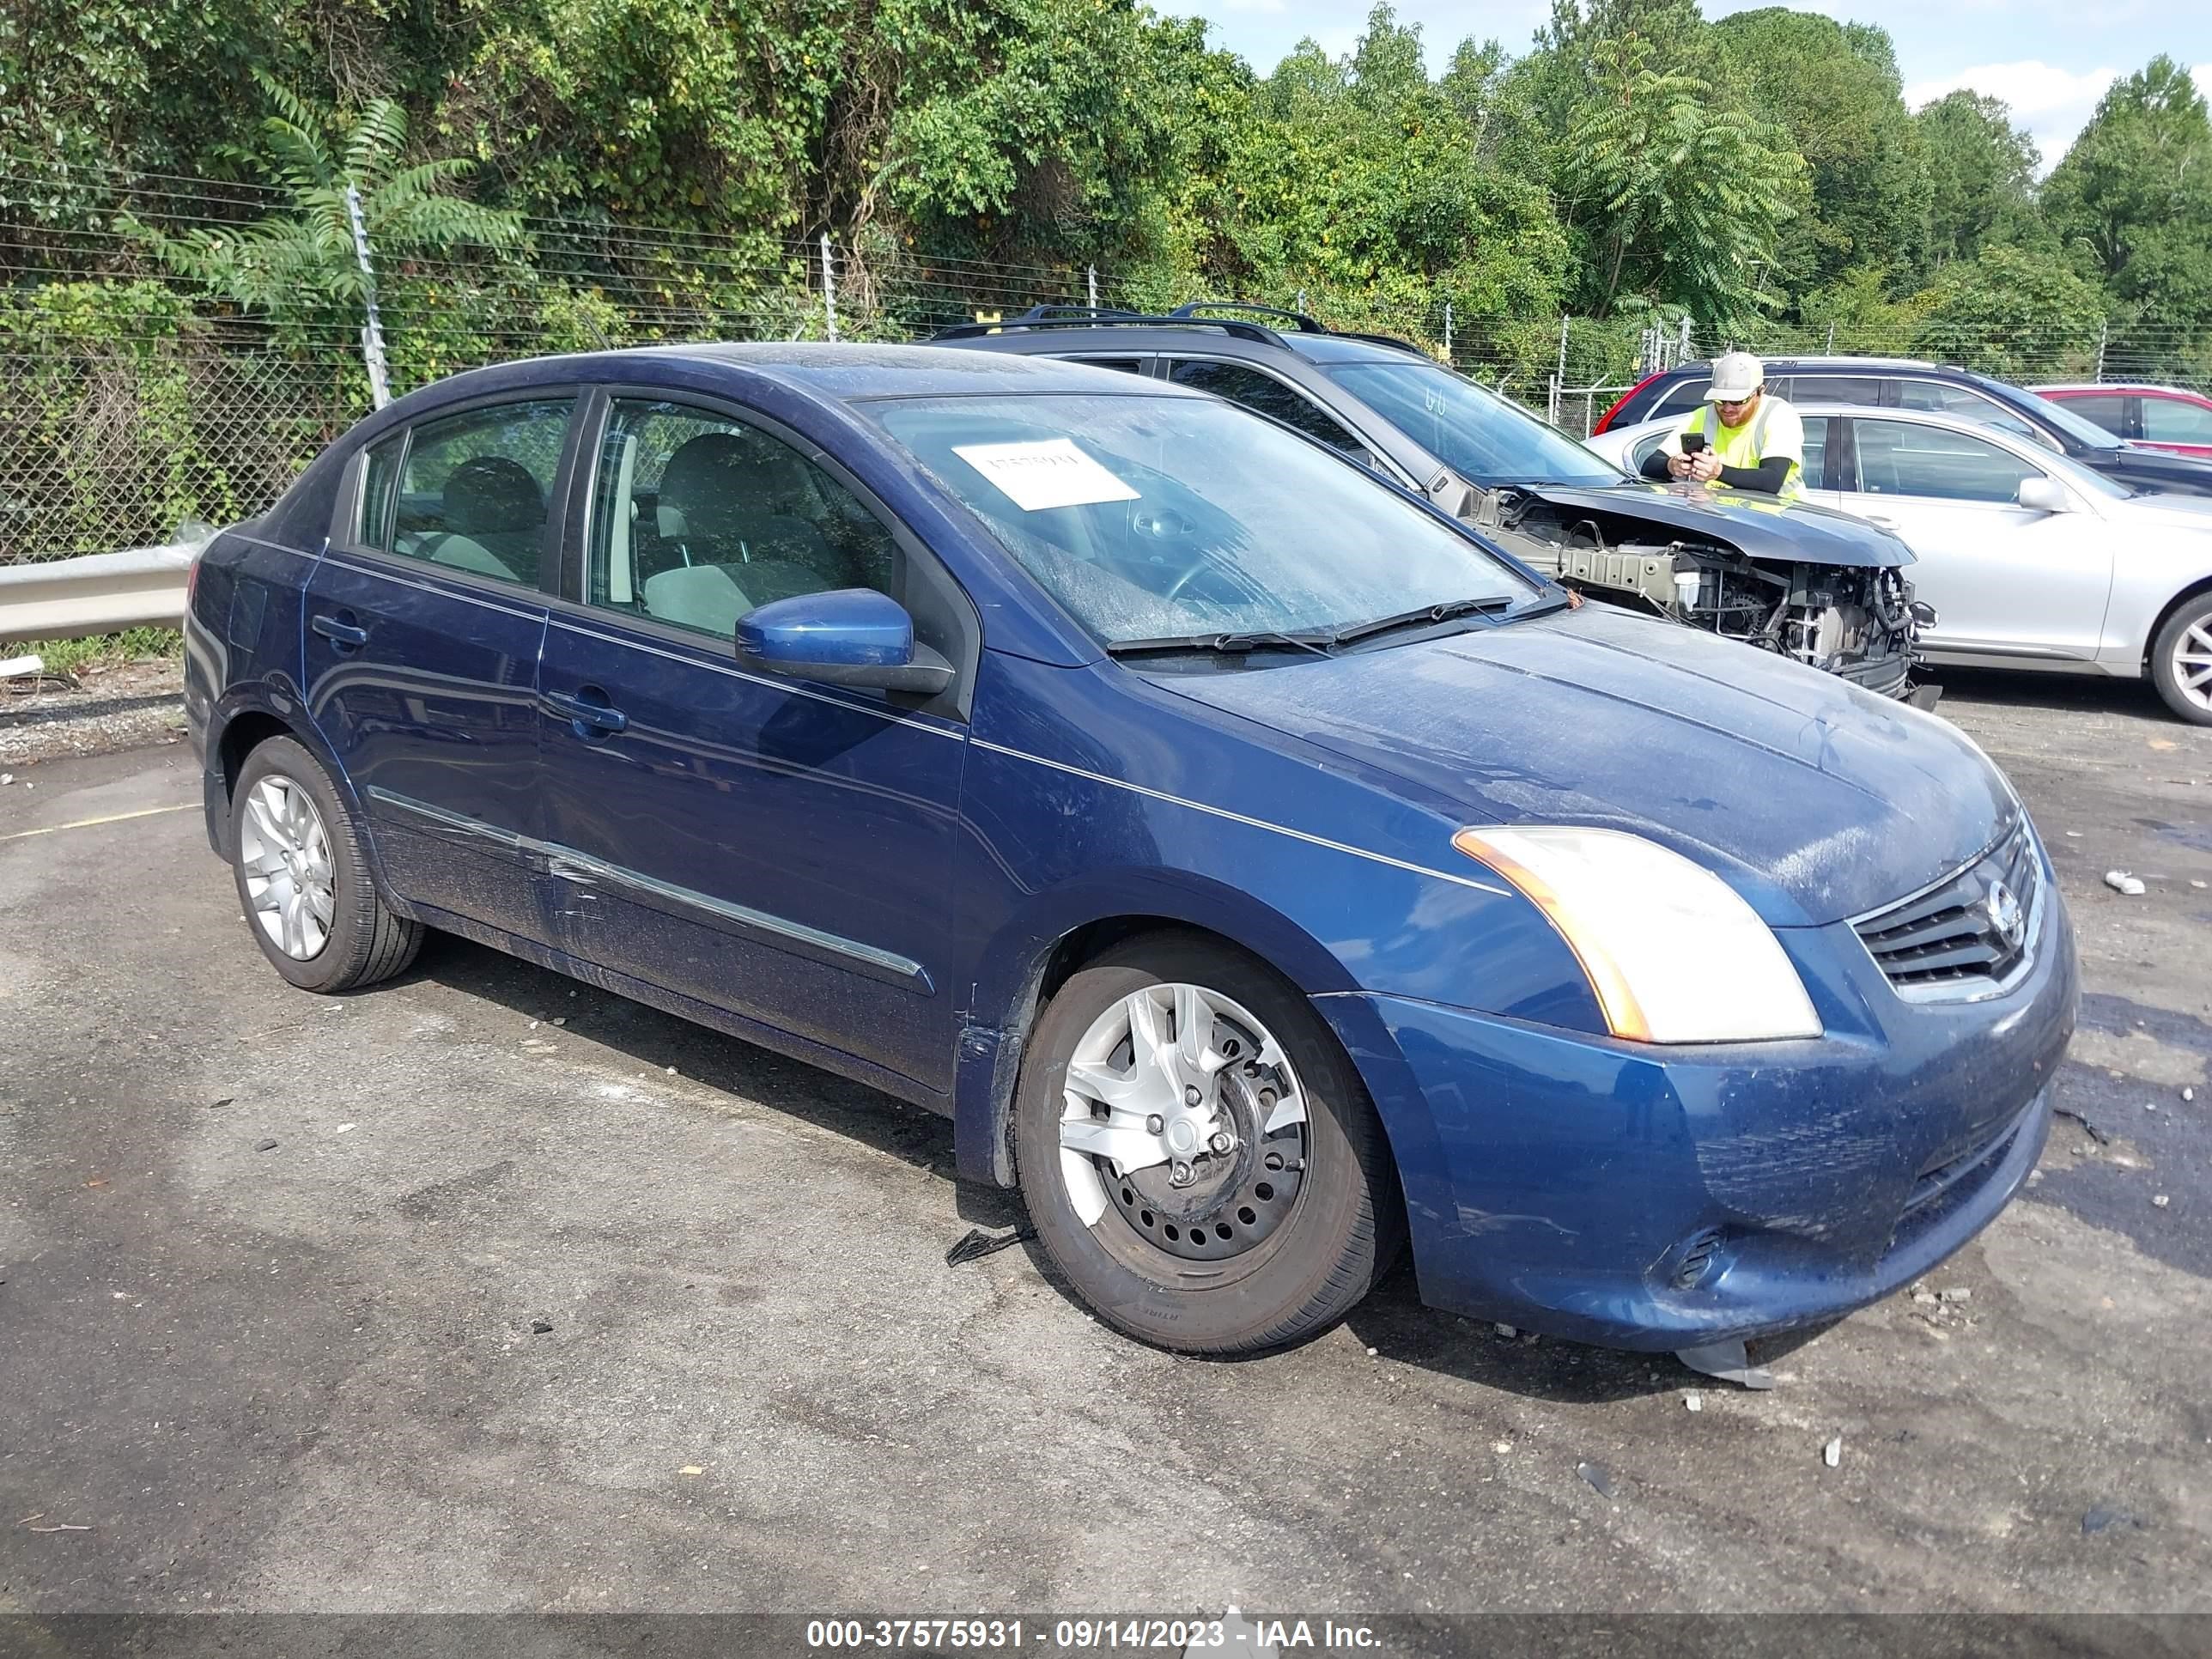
(1165, 519)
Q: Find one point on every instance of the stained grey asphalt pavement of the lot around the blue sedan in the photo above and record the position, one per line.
(488, 1291)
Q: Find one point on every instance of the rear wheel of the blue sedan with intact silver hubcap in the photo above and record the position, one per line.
(304, 881)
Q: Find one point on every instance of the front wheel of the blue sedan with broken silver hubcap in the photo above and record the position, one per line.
(1198, 1154)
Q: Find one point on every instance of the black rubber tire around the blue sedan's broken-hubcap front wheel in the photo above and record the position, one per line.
(1344, 1227)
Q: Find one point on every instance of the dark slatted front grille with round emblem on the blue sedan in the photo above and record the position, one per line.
(1968, 932)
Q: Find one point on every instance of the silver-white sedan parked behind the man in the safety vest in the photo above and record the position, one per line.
(2030, 561)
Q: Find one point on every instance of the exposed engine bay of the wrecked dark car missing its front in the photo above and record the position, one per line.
(1850, 620)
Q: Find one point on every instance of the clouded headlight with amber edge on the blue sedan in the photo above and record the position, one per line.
(1671, 950)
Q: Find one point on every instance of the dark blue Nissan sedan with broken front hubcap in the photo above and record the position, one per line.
(1260, 870)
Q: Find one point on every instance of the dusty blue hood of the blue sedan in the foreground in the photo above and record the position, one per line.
(1813, 797)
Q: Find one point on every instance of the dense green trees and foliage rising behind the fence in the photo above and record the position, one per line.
(1636, 165)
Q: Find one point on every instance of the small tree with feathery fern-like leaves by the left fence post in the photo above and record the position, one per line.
(300, 267)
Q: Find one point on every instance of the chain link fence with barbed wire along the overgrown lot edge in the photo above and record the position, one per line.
(132, 404)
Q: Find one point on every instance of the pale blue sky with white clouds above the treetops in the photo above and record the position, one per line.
(2047, 59)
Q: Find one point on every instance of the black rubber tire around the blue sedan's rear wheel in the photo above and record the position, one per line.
(366, 943)
